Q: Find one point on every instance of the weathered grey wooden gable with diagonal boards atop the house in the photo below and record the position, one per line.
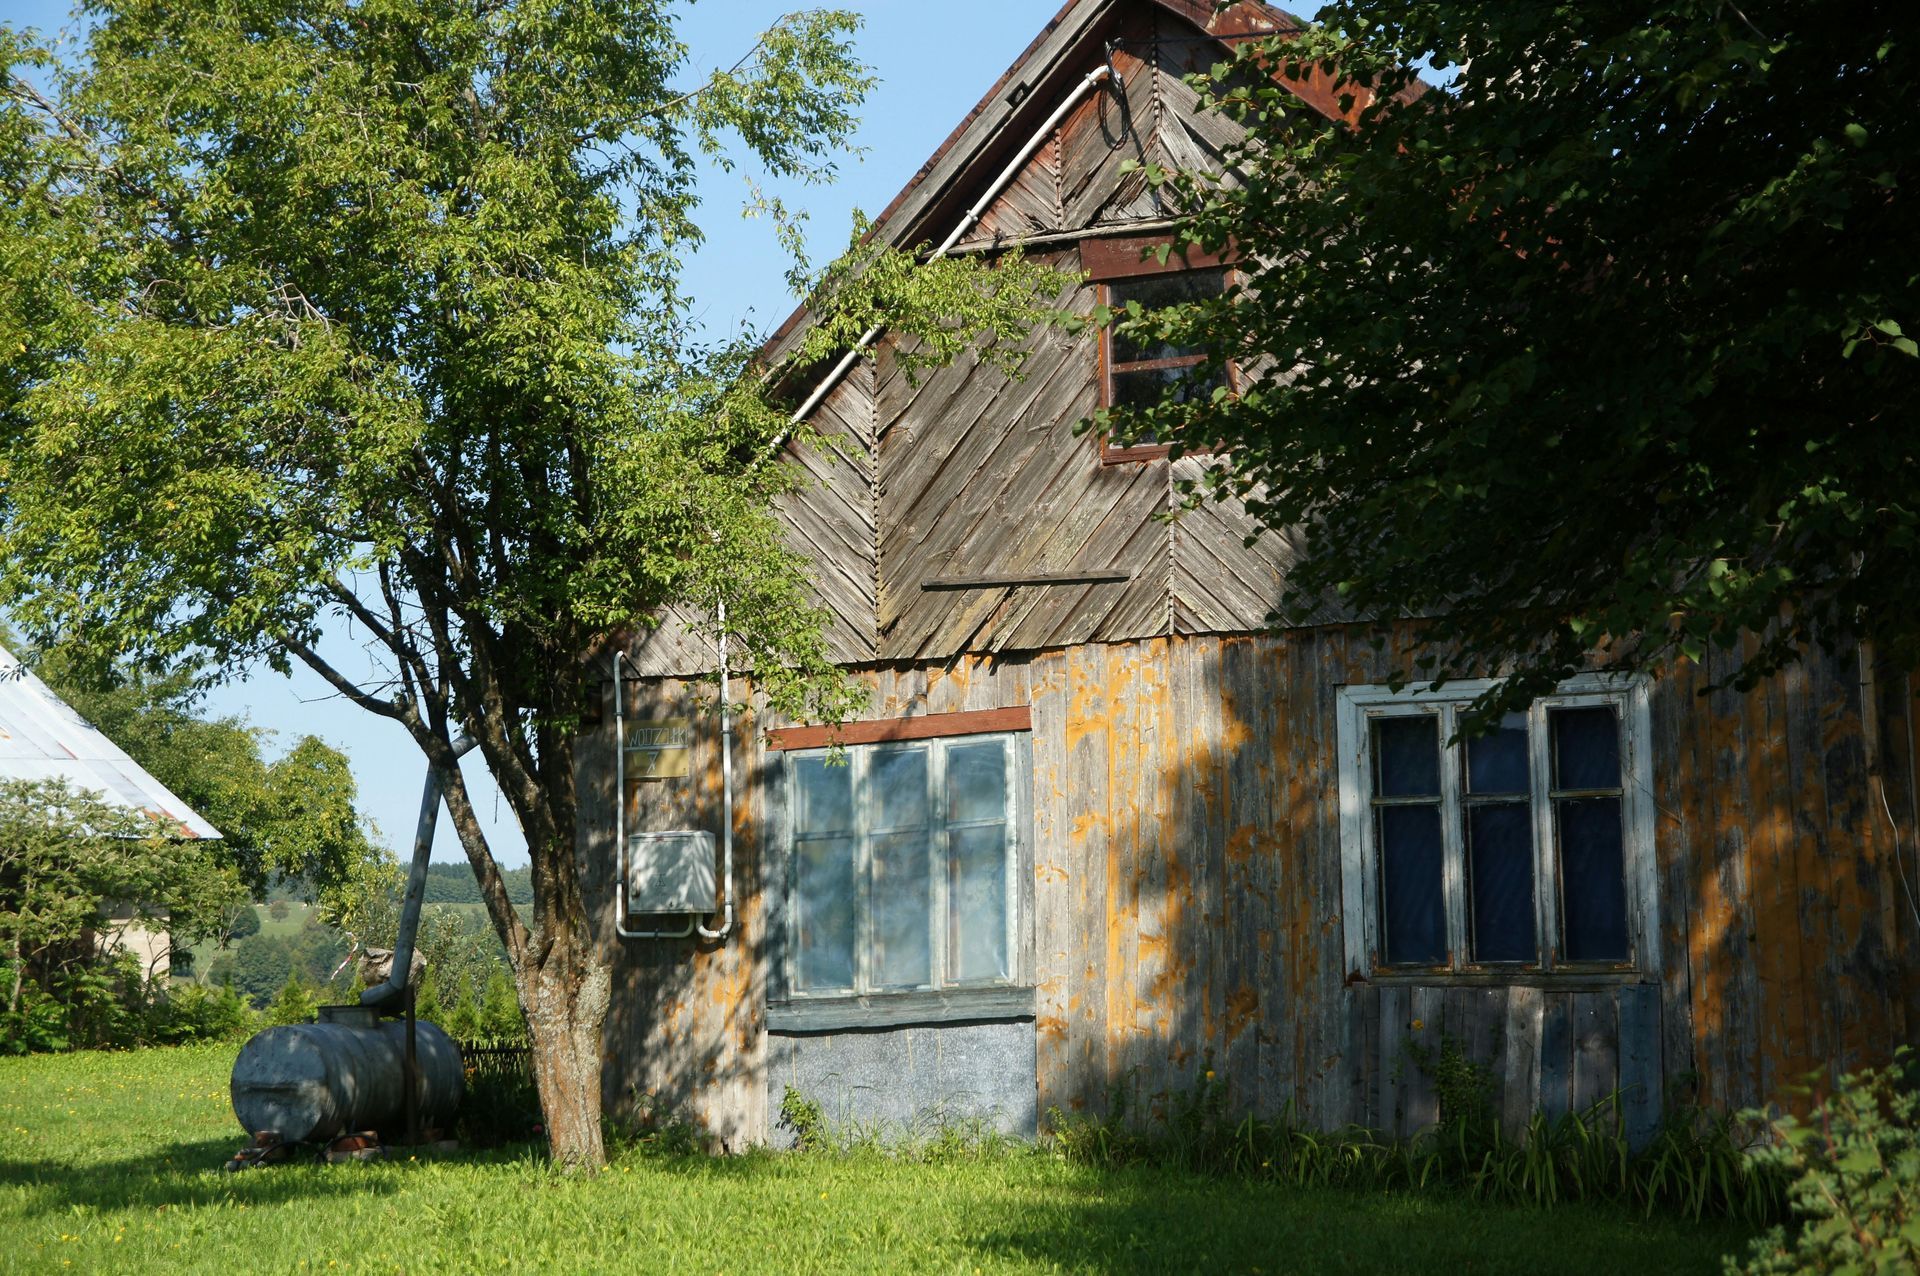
(917, 486)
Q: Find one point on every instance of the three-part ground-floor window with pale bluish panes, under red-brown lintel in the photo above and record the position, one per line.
(903, 868)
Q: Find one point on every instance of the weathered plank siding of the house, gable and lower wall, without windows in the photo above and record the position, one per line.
(1188, 851)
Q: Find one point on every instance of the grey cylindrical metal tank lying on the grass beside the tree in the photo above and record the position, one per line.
(314, 1081)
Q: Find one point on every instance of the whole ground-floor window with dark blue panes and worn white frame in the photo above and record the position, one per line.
(1518, 849)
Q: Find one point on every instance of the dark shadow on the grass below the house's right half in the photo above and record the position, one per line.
(1136, 1221)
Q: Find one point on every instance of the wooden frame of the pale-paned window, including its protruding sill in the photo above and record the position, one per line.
(871, 1006)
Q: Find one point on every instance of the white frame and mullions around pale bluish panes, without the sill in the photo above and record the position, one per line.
(859, 759)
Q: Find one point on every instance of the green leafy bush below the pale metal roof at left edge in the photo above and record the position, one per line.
(64, 857)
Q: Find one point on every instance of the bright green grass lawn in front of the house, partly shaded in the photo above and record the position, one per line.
(110, 1162)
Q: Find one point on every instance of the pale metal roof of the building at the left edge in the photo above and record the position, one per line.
(41, 738)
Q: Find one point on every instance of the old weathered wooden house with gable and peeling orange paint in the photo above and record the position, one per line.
(1107, 834)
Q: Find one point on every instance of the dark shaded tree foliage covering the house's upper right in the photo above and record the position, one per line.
(1612, 341)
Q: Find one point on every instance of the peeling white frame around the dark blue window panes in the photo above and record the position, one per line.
(1360, 878)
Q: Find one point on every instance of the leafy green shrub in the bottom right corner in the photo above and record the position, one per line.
(1856, 1166)
